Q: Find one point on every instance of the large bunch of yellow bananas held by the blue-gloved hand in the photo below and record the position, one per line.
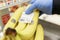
(26, 31)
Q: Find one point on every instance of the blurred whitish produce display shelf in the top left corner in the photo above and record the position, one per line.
(9, 3)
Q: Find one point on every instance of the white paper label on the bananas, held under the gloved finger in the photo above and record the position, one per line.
(26, 18)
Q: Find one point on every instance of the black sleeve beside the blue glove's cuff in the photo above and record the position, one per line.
(56, 7)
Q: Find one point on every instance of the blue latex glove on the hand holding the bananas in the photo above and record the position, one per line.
(43, 5)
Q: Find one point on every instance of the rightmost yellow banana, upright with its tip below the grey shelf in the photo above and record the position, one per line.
(39, 33)
